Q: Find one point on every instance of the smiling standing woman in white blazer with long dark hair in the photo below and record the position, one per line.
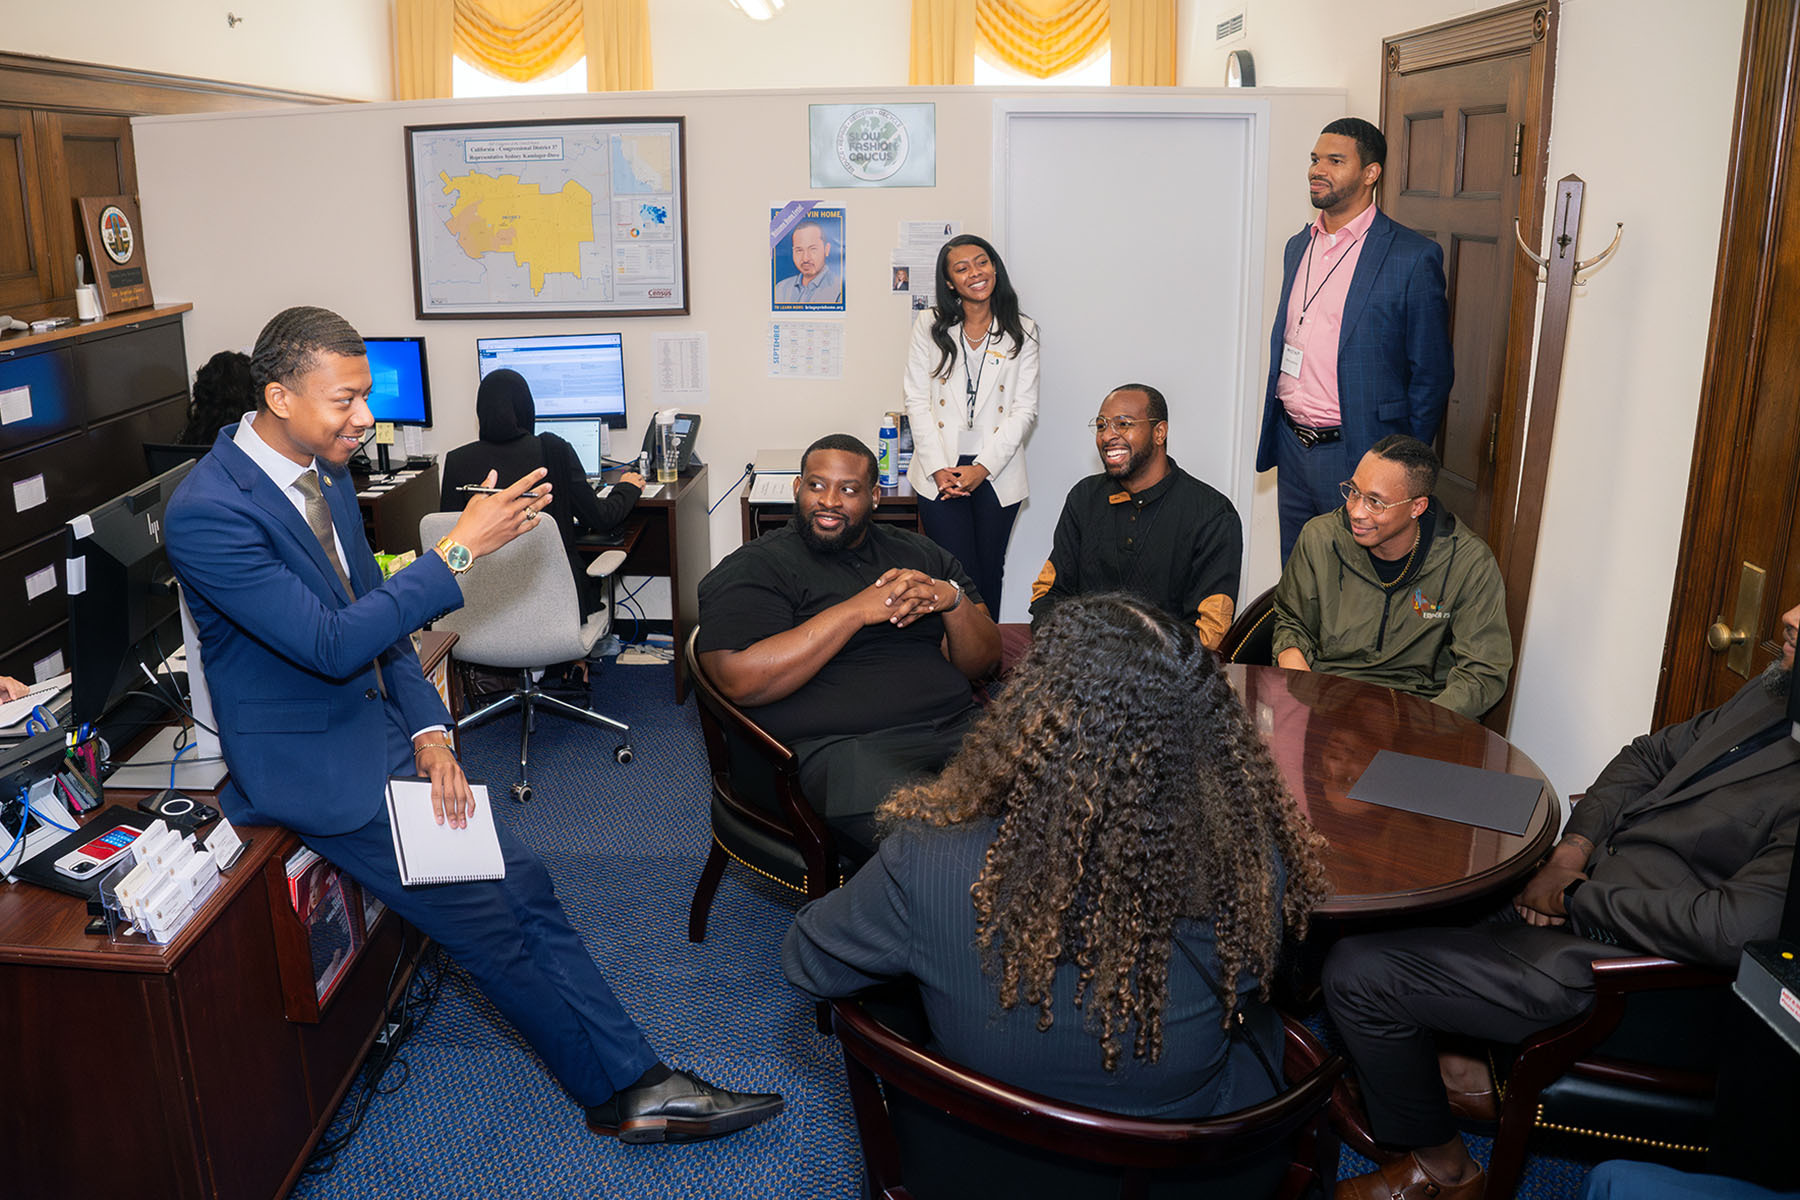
(971, 399)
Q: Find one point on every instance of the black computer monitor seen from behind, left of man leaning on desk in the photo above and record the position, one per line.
(125, 623)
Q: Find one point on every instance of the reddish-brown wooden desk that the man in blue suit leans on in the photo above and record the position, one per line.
(184, 1070)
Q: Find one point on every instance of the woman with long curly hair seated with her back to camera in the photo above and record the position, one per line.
(1106, 859)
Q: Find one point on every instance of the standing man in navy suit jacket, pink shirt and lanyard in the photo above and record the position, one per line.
(1362, 341)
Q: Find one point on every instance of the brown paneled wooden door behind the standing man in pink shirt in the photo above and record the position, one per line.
(1466, 116)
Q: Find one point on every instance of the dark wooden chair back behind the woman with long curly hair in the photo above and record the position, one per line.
(933, 1129)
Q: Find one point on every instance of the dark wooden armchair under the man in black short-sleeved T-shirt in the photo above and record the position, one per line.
(760, 812)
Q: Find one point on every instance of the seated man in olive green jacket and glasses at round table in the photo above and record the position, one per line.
(1392, 589)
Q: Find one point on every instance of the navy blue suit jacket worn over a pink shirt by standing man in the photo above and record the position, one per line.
(1394, 348)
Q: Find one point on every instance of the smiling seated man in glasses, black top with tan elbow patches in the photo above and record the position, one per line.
(1144, 524)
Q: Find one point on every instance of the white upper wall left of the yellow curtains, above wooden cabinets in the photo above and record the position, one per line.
(332, 48)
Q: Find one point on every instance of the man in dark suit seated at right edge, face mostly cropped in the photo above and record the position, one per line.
(1682, 848)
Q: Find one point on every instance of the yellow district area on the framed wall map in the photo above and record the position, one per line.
(501, 215)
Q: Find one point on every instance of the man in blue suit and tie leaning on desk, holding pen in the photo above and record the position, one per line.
(319, 699)
